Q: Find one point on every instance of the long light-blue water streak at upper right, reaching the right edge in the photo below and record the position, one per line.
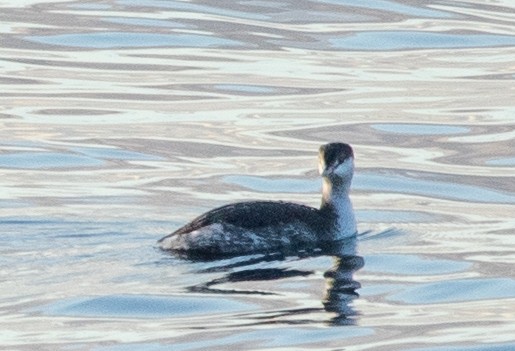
(411, 40)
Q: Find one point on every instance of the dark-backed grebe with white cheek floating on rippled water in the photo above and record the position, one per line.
(275, 226)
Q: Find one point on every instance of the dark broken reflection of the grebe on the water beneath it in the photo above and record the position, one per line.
(340, 288)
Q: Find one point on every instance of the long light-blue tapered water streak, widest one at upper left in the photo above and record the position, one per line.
(106, 40)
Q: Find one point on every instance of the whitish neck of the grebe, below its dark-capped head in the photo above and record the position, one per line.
(336, 202)
